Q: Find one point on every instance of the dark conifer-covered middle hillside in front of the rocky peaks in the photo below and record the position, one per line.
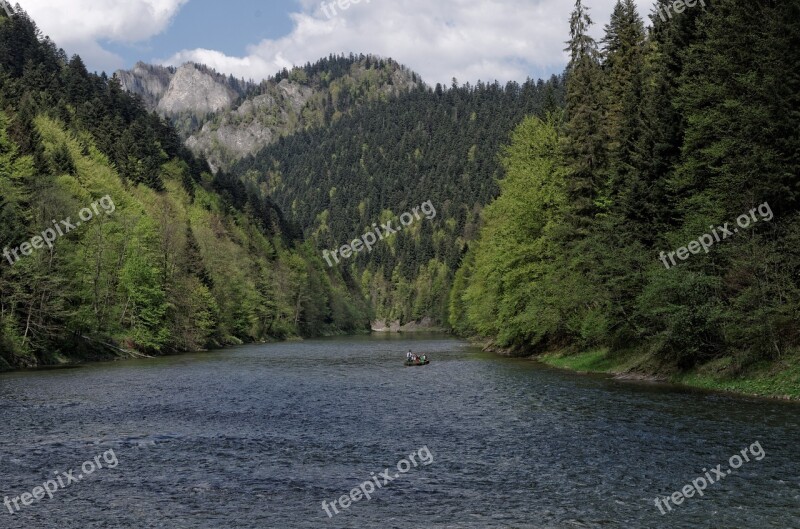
(431, 144)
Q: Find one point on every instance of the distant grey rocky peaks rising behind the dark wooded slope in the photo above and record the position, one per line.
(224, 119)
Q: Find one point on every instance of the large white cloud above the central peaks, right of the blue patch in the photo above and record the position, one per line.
(441, 39)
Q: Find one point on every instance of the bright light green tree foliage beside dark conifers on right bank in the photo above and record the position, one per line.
(511, 292)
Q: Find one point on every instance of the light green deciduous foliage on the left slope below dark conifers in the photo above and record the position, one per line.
(162, 272)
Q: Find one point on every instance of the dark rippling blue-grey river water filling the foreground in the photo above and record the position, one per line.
(259, 436)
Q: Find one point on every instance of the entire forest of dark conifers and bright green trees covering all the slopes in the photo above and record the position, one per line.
(557, 201)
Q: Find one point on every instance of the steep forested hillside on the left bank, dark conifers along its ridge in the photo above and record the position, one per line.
(118, 241)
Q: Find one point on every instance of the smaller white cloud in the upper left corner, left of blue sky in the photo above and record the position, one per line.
(79, 25)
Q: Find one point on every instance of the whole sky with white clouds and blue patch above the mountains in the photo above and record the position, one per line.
(469, 40)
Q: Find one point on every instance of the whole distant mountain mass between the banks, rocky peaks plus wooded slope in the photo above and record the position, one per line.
(328, 143)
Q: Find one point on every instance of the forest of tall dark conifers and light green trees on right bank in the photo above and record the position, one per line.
(666, 133)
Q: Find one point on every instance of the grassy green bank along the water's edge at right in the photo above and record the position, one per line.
(778, 379)
